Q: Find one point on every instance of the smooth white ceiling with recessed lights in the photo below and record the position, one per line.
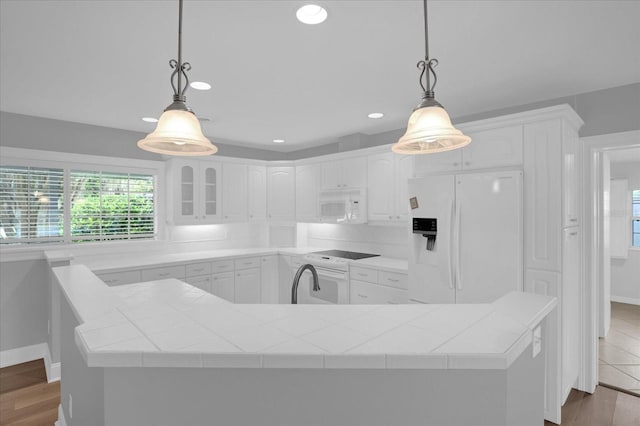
(106, 62)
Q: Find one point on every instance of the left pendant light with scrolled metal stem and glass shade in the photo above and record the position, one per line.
(178, 131)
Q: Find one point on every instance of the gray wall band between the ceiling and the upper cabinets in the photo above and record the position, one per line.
(605, 111)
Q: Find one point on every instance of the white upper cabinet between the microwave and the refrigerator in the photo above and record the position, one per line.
(387, 177)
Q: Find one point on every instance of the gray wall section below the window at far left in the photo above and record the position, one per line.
(24, 303)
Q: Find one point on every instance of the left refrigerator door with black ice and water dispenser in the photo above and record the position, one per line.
(431, 271)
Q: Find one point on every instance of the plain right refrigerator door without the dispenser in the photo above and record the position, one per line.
(488, 249)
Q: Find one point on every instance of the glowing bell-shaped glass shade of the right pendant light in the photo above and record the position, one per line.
(430, 130)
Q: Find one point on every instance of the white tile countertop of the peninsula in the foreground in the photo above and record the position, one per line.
(169, 323)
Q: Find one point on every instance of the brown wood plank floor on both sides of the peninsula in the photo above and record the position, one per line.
(27, 399)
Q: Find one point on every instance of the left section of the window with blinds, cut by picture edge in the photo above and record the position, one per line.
(31, 204)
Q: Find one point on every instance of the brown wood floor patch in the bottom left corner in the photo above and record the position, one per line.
(25, 396)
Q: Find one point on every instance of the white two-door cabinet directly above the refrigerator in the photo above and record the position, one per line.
(498, 147)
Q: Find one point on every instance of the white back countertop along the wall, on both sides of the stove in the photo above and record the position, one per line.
(115, 263)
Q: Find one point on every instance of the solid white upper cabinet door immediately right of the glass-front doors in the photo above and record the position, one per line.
(234, 192)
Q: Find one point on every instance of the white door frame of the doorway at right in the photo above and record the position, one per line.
(593, 150)
